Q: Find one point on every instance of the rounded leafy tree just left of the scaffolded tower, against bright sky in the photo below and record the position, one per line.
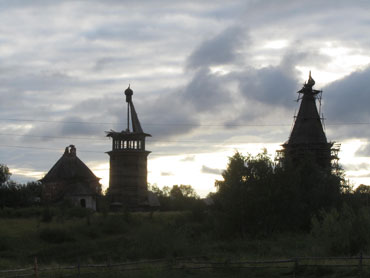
(243, 196)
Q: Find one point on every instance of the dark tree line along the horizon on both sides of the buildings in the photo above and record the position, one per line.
(258, 198)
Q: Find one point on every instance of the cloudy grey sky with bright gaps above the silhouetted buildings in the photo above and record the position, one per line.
(209, 78)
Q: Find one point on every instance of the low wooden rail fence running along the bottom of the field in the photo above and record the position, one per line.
(292, 266)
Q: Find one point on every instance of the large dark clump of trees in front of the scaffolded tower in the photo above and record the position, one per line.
(256, 197)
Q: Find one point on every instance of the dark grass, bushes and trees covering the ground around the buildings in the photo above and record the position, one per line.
(260, 211)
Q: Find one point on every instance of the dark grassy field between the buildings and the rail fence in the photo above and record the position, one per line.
(110, 238)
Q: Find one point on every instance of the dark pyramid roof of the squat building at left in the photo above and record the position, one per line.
(69, 167)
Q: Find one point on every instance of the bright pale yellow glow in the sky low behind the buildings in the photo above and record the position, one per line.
(187, 169)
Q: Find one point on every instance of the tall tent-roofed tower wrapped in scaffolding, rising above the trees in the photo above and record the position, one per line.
(307, 137)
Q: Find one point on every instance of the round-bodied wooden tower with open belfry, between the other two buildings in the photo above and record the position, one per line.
(128, 162)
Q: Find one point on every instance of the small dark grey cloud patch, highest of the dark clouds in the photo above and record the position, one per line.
(220, 50)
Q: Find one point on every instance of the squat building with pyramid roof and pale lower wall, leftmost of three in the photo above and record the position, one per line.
(72, 181)
